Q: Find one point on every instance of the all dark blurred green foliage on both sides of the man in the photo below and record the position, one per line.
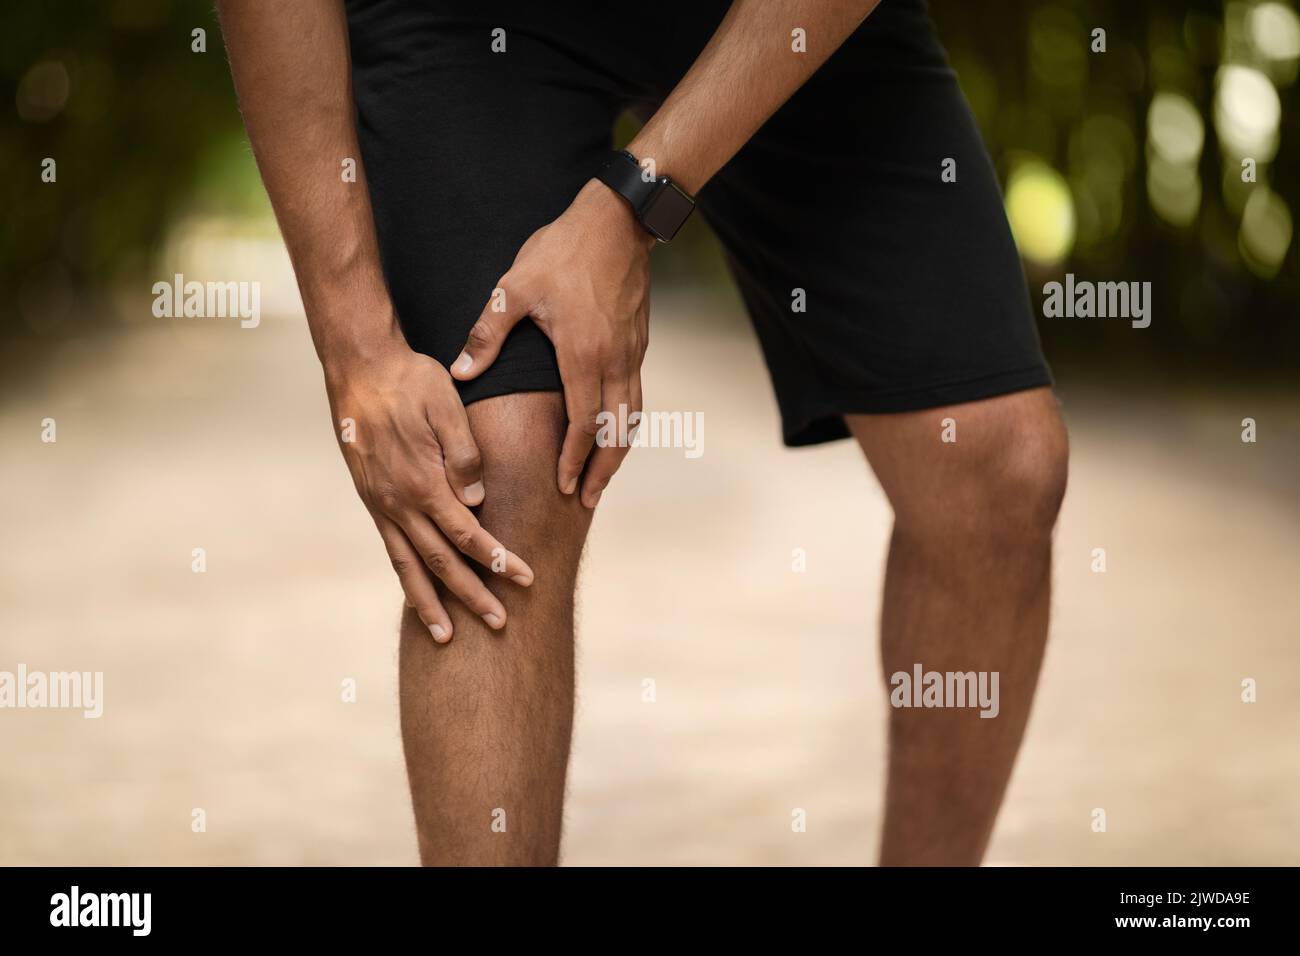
(146, 131)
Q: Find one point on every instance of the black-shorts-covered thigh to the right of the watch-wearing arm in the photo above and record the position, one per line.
(876, 285)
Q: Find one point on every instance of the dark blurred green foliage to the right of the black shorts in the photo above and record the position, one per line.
(1038, 89)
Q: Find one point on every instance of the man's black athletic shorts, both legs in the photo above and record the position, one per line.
(915, 295)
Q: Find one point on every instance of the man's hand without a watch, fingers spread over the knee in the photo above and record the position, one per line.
(418, 470)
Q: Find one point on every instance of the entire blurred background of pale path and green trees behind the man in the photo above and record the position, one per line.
(224, 689)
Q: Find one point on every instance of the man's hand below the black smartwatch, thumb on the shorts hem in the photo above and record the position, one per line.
(586, 282)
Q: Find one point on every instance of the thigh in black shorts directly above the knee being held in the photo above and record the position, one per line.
(467, 153)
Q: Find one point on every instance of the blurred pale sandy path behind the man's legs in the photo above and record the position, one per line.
(224, 689)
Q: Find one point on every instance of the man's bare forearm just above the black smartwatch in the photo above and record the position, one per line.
(744, 75)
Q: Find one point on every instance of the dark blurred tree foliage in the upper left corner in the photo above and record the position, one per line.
(112, 92)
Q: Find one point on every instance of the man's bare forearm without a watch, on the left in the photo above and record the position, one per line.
(292, 72)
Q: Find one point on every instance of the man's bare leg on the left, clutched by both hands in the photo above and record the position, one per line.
(487, 719)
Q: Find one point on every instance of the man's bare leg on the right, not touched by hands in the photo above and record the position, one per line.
(967, 590)
